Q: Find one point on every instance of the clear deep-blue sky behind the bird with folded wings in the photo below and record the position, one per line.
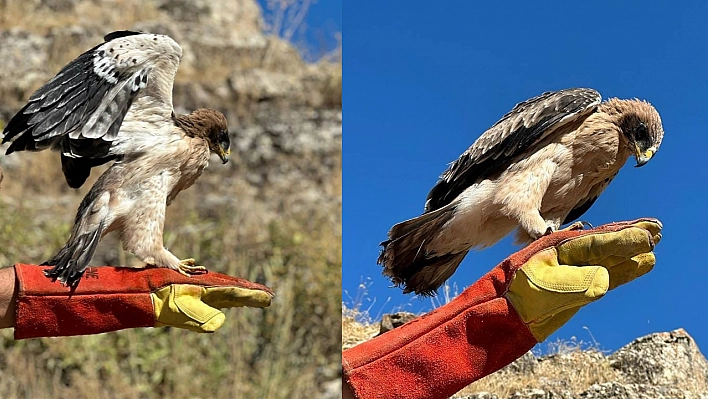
(422, 80)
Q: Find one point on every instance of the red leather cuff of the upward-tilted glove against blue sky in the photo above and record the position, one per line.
(438, 354)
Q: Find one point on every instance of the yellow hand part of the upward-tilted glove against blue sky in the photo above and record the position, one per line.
(557, 281)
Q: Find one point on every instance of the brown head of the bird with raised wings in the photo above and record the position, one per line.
(210, 125)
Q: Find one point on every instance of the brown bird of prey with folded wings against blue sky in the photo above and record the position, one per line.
(542, 165)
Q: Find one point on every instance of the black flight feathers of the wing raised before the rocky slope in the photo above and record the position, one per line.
(58, 111)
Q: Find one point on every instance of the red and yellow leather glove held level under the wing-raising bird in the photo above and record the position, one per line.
(114, 298)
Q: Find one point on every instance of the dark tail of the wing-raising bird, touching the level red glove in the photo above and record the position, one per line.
(72, 260)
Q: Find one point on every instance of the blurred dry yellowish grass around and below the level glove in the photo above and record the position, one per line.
(277, 352)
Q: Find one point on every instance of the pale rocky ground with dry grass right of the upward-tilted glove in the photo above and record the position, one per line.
(661, 365)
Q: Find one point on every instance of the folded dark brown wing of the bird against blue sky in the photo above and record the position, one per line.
(526, 124)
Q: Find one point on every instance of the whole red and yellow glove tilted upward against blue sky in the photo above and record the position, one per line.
(504, 314)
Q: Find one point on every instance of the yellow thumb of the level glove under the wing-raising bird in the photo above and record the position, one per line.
(200, 315)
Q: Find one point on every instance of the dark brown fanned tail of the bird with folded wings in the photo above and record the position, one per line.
(407, 261)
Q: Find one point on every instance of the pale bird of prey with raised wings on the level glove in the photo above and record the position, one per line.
(114, 103)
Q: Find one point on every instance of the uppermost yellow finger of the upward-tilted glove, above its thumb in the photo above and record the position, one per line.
(605, 248)
